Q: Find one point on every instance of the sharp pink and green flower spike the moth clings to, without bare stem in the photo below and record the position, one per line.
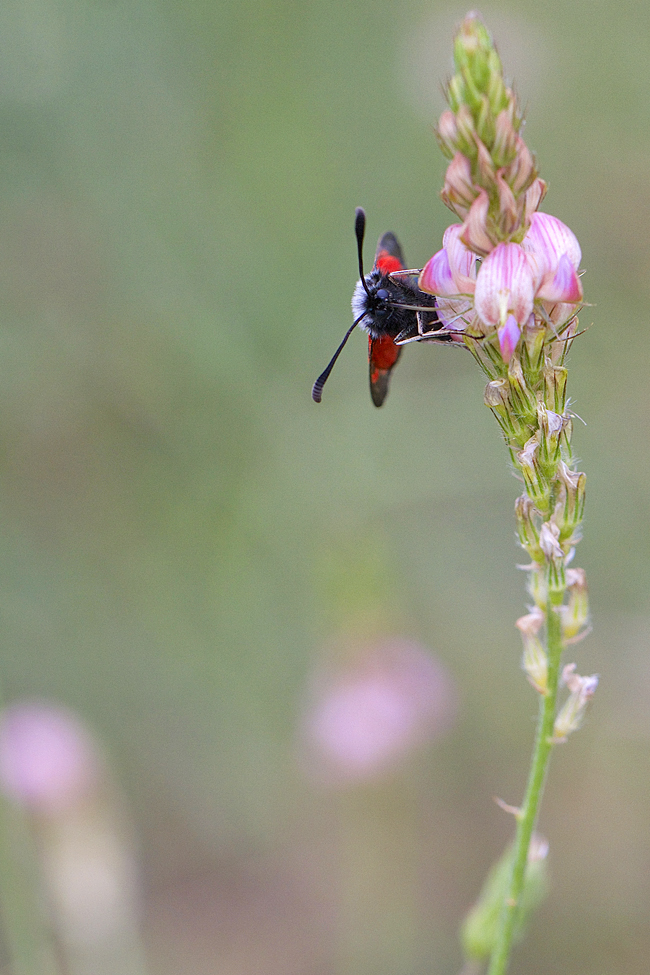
(507, 284)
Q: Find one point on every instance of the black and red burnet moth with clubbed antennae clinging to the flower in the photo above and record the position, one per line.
(388, 305)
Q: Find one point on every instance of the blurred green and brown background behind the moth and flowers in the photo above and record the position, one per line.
(186, 535)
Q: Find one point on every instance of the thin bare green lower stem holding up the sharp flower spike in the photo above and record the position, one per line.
(534, 790)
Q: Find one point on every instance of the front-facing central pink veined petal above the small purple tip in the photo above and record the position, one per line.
(505, 286)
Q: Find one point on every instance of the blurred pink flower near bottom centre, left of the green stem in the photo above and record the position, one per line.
(364, 718)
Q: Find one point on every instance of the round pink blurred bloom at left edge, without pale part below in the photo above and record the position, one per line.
(47, 759)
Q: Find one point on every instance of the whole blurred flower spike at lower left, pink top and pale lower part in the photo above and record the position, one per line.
(54, 768)
